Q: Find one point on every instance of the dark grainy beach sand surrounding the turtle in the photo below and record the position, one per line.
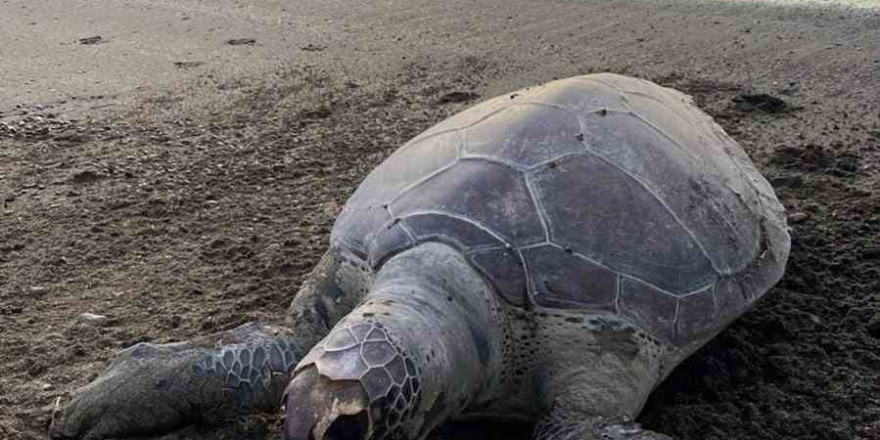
(177, 184)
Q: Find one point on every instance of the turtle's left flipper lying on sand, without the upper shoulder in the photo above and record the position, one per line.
(153, 389)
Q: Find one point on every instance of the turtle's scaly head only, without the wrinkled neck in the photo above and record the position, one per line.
(355, 385)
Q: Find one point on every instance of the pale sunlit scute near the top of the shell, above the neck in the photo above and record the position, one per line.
(525, 135)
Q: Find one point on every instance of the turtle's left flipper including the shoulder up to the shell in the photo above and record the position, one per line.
(152, 389)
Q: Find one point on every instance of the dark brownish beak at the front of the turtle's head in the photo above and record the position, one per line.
(318, 408)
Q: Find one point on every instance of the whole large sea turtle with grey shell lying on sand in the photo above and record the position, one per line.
(548, 255)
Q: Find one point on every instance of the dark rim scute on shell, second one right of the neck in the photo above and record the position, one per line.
(565, 281)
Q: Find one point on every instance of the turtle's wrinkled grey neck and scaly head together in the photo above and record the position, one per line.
(422, 346)
